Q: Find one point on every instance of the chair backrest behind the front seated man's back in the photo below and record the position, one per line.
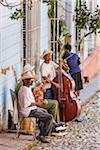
(15, 106)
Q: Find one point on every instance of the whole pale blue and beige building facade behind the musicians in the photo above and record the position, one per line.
(24, 41)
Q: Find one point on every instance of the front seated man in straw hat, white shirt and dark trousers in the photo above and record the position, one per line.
(29, 108)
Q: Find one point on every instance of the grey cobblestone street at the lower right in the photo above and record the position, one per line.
(81, 136)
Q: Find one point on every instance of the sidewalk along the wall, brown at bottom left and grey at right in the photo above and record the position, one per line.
(8, 140)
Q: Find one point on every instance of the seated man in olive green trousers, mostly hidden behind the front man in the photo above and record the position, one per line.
(51, 106)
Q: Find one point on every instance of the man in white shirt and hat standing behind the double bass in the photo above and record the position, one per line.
(48, 73)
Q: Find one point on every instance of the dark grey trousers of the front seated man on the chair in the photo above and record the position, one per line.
(45, 122)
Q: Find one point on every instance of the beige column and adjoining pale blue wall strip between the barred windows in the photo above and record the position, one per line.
(36, 32)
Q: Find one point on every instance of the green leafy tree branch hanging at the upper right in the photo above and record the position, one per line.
(87, 21)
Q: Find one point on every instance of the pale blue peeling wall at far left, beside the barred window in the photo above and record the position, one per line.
(9, 56)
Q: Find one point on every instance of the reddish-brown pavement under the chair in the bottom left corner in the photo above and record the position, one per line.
(9, 142)
